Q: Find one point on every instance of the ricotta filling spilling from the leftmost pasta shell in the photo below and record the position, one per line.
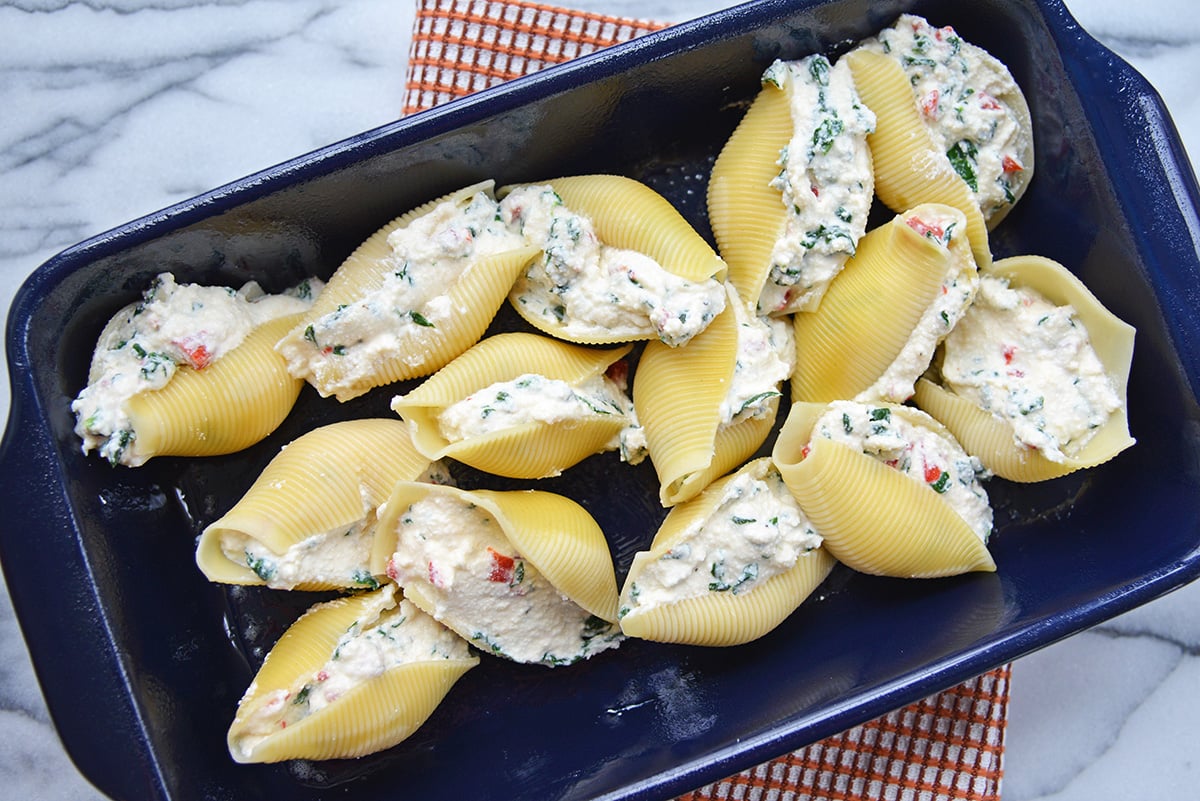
(145, 345)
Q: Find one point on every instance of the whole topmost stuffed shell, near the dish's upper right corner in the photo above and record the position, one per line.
(953, 127)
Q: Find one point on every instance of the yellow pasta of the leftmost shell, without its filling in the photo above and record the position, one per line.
(227, 407)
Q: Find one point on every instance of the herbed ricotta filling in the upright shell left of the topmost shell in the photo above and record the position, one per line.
(826, 180)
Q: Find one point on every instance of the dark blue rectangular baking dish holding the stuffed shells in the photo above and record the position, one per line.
(142, 661)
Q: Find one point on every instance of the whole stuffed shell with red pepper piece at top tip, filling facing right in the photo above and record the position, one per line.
(880, 324)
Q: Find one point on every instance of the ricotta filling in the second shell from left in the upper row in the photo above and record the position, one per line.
(428, 256)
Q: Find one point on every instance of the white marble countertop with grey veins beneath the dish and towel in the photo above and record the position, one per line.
(111, 110)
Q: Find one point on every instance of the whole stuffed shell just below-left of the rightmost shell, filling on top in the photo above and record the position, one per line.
(928, 514)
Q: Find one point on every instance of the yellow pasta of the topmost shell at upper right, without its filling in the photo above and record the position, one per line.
(909, 167)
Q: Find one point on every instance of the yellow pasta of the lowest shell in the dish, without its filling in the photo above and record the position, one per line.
(371, 716)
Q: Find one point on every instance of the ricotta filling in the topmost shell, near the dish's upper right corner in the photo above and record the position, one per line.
(962, 91)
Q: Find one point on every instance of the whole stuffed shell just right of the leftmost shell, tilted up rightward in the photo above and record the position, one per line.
(418, 293)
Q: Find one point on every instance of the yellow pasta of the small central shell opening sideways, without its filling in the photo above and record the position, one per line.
(533, 450)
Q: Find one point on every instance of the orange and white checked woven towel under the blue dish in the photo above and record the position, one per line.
(947, 748)
